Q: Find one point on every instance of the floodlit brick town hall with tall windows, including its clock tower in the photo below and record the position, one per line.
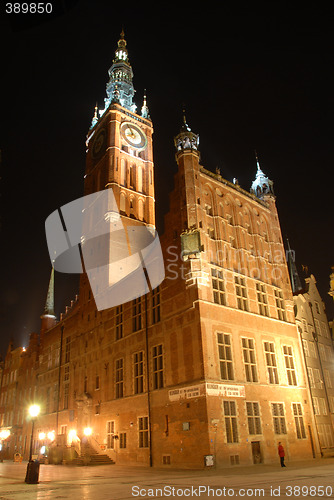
(207, 367)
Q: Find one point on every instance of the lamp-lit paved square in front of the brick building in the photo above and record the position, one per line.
(311, 479)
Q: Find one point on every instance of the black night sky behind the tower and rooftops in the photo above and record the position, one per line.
(250, 78)
